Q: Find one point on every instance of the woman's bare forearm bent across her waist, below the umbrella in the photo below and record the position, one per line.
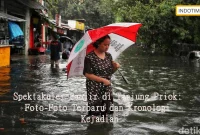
(97, 79)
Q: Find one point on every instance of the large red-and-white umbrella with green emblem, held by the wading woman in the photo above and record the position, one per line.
(122, 36)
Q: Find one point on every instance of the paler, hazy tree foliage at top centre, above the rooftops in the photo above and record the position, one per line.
(96, 12)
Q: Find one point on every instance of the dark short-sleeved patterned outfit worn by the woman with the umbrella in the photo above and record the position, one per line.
(95, 90)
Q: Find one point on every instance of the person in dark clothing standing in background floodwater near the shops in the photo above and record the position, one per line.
(55, 47)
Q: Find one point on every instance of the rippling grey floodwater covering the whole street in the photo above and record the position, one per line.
(162, 97)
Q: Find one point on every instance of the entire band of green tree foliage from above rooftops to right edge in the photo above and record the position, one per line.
(161, 27)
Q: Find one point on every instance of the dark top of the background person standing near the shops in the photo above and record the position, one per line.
(55, 48)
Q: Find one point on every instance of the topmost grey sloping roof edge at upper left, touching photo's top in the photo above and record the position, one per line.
(32, 4)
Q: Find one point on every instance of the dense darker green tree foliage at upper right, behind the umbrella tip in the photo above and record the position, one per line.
(161, 27)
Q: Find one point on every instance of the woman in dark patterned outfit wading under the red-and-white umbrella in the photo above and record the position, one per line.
(98, 68)
